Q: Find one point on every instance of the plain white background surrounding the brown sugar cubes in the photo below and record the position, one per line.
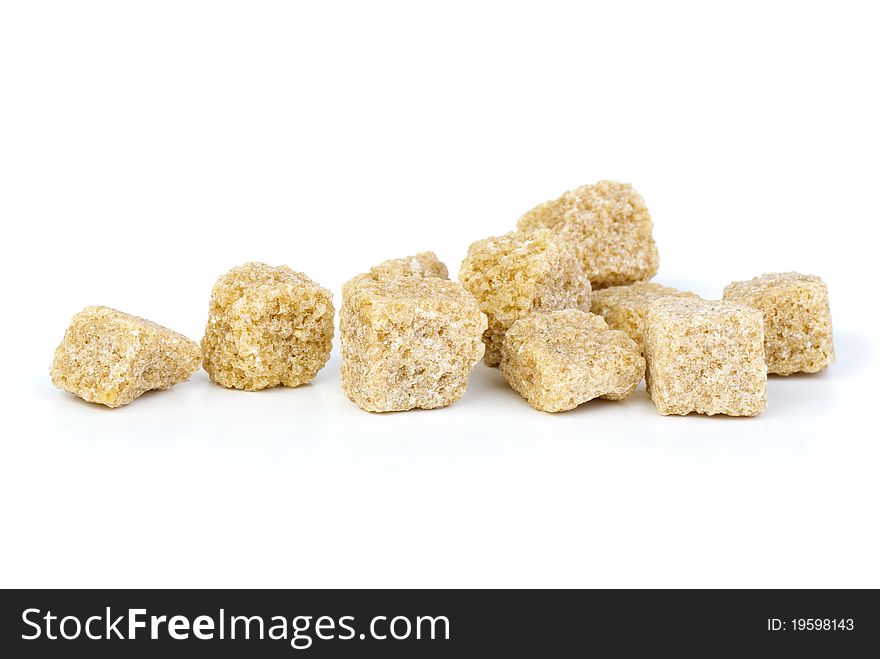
(146, 148)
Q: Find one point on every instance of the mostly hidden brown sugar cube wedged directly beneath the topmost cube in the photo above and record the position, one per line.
(623, 307)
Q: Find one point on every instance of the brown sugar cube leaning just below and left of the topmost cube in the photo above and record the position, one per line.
(518, 273)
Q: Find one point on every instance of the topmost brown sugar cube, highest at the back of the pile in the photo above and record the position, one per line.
(609, 227)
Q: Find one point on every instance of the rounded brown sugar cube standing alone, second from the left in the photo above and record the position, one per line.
(267, 326)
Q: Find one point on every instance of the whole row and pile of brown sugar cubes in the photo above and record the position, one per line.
(563, 306)
